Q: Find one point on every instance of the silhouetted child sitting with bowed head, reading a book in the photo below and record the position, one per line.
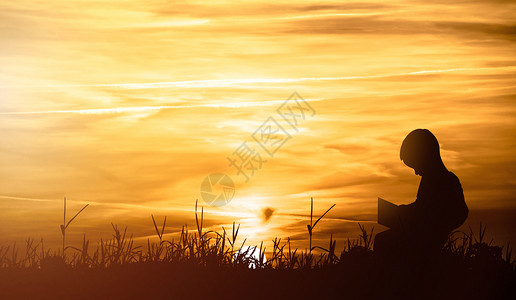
(439, 207)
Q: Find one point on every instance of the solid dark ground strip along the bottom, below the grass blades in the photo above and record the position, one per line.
(351, 279)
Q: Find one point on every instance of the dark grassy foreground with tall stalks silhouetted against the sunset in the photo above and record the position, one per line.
(203, 263)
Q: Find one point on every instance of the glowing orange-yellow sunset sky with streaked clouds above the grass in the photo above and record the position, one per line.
(129, 105)
